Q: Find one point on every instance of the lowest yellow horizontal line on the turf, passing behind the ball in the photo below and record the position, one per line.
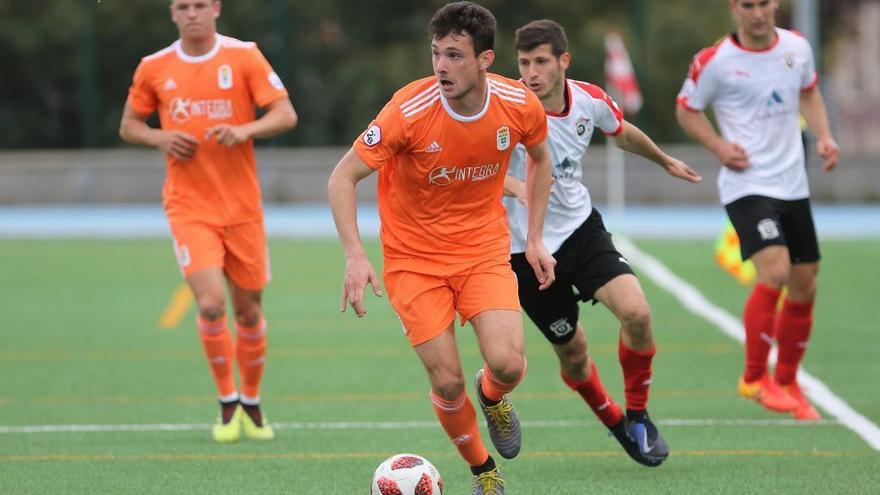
(331, 456)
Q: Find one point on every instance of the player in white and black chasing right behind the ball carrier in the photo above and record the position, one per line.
(586, 258)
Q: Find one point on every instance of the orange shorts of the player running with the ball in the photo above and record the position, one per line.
(427, 295)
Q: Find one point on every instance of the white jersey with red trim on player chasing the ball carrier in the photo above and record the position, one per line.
(568, 138)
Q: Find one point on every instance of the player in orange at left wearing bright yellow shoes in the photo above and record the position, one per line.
(206, 88)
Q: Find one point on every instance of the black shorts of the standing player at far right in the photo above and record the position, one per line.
(761, 221)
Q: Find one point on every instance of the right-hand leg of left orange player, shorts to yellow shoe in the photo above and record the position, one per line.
(246, 271)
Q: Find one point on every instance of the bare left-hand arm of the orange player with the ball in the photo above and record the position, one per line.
(343, 202)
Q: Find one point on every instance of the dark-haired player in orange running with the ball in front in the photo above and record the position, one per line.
(441, 147)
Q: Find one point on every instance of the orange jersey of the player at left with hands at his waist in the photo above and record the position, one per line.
(218, 185)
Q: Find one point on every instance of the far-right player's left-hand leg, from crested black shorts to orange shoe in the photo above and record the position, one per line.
(757, 223)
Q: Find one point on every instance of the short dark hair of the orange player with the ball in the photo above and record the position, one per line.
(465, 17)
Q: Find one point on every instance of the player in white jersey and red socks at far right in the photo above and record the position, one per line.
(757, 80)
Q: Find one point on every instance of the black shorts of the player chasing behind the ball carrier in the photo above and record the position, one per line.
(587, 260)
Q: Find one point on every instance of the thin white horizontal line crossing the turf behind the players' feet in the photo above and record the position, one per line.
(394, 425)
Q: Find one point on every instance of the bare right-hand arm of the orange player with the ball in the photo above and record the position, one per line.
(539, 179)
